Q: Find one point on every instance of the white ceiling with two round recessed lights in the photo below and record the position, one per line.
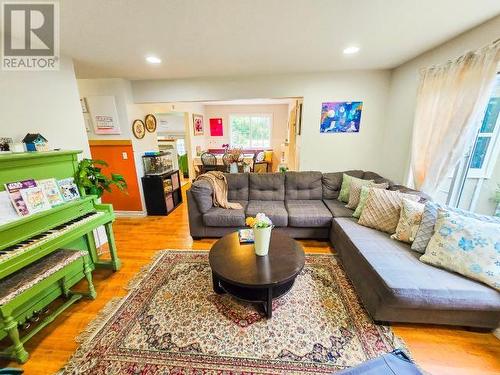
(202, 38)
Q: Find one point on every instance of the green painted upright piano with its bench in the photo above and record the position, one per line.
(42, 256)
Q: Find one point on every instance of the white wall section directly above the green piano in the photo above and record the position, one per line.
(45, 102)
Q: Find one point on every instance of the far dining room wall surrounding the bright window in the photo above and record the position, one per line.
(279, 133)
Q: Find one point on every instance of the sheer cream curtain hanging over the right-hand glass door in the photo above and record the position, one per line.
(450, 103)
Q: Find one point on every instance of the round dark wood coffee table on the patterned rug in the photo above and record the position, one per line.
(249, 277)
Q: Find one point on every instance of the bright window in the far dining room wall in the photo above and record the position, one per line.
(251, 131)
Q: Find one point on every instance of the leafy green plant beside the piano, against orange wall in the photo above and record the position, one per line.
(89, 178)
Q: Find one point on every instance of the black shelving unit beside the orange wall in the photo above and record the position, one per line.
(162, 192)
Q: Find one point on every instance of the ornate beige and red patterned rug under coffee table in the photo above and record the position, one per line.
(172, 322)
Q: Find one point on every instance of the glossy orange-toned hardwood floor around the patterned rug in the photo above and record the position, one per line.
(439, 350)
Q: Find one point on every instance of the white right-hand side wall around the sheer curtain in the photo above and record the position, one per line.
(403, 90)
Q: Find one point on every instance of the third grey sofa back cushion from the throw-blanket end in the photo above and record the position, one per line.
(303, 185)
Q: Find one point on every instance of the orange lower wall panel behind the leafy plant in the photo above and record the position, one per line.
(111, 152)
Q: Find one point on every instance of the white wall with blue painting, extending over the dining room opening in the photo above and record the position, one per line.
(323, 152)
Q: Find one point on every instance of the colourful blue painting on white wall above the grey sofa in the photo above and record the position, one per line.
(340, 117)
